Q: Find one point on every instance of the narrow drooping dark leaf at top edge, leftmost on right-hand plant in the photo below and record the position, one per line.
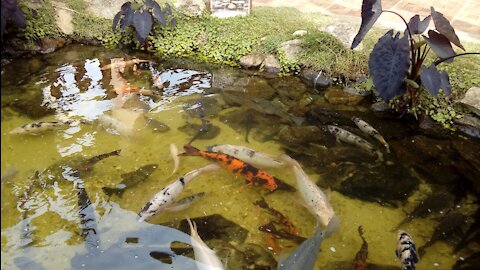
(371, 10)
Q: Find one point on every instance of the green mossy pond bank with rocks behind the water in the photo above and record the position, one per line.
(280, 40)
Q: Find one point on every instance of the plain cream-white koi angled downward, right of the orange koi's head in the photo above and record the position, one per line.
(315, 200)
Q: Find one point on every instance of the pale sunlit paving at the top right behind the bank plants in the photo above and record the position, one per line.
(464, 15)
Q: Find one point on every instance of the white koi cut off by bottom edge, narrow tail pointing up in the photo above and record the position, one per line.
(204, 256)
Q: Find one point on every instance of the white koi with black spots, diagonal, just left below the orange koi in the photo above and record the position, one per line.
(165, 197)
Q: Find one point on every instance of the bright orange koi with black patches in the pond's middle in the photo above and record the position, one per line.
(252, 175)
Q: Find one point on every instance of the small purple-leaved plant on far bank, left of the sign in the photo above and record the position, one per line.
(142, 18)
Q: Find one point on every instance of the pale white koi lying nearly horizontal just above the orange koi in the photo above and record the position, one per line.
(248, 155)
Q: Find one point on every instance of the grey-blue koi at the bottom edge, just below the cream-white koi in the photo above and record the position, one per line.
(305, 255)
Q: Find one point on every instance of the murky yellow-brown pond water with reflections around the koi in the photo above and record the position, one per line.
(67, 221)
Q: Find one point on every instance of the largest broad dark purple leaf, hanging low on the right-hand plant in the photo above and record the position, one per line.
(389, 62)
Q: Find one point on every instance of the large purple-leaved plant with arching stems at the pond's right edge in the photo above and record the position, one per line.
(396, 62)
